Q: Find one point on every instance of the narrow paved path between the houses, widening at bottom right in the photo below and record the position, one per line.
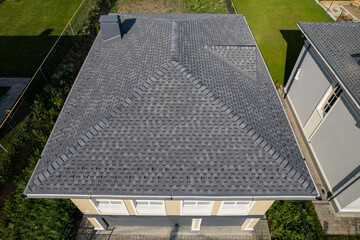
(331, 223)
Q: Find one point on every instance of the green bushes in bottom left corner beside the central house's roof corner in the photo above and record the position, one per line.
(38, 218)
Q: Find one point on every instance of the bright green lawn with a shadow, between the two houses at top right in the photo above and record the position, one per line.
(273, 25)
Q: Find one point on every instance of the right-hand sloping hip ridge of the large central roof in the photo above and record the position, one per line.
(251, 132)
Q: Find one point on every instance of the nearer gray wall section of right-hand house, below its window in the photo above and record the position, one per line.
(336, 143)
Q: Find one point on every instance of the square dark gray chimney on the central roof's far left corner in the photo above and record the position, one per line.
(110, 26)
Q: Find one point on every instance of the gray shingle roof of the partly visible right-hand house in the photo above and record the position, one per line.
(339, 44)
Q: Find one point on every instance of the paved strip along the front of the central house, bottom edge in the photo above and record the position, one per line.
(260, 232)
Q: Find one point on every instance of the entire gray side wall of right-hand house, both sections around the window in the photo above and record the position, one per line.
(335, 142)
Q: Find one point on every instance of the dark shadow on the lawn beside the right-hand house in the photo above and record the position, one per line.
(294, 41)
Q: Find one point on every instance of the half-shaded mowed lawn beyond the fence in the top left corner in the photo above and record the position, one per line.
(28, 29)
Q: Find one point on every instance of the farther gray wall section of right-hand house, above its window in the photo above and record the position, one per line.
(306, 92)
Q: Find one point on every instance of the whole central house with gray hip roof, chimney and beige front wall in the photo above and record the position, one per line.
(173, 118)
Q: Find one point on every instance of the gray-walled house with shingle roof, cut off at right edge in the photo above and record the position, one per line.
(324, 92)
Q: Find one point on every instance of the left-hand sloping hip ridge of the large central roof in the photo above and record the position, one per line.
(98, 127)
